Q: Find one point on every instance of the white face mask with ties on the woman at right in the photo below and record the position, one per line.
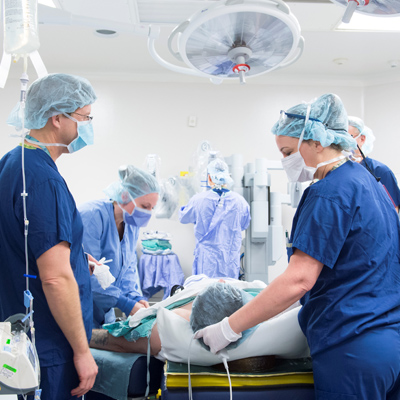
(295, 166)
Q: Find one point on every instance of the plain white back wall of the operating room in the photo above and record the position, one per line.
(134, 119)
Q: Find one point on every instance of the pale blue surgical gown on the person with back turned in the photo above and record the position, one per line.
(218, 225)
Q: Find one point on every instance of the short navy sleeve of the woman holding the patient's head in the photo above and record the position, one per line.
(322, 229)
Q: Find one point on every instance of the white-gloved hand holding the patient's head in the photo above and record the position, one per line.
(218, 336)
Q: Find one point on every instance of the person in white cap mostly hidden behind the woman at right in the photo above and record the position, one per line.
(365, 139)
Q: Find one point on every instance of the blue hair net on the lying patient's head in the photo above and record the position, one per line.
(213, 304)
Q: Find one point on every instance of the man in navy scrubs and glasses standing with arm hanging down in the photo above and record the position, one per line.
(57, 113)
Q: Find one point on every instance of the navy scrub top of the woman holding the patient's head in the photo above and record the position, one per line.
(347, 222)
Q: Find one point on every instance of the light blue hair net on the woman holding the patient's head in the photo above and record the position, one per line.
(329, 124)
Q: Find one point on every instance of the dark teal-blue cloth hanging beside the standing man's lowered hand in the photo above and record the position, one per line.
(114, 372)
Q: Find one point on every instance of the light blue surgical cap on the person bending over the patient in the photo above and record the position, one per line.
(133, 183)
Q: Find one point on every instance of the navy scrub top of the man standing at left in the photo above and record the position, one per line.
(53, 218)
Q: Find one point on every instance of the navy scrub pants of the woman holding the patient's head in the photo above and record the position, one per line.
(366, 367)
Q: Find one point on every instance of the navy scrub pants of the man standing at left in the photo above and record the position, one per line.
(57, 382)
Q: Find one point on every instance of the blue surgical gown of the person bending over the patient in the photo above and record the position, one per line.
(101, 239)
